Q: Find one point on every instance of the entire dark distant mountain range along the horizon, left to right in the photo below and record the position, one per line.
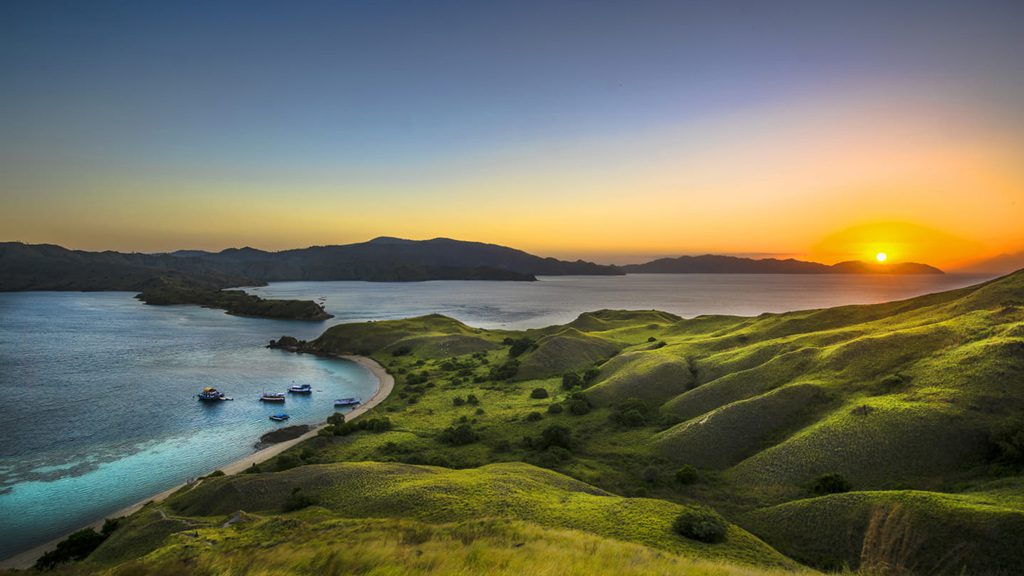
(46, 267)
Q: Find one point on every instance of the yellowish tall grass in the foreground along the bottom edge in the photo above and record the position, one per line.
(381, 548)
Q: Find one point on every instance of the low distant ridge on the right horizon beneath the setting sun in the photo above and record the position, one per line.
(711, 264)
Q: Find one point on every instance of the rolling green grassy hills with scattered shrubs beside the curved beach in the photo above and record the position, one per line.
(881, 438)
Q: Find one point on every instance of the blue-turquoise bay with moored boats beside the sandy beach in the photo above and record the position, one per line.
(101, 410)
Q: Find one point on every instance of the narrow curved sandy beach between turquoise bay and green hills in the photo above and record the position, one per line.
(386, 384)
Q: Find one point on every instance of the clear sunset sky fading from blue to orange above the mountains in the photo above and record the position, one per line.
(614, 132)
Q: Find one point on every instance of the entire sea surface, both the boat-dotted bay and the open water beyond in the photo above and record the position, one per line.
(99, 389)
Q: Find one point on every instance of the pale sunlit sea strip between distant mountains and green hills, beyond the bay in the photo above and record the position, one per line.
(561, 300)
